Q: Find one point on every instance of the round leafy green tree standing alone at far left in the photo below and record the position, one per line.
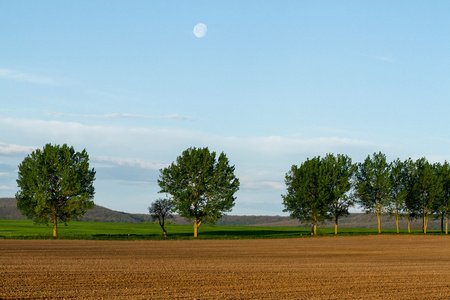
(55, 184)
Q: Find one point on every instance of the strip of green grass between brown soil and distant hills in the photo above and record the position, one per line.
(18, 229)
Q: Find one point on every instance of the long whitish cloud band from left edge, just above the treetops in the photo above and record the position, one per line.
(164, 144)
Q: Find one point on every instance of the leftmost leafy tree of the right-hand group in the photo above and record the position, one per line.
(308, 192)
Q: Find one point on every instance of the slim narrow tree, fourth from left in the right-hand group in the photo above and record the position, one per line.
(398, 191)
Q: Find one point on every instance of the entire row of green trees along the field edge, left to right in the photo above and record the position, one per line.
(56, 185)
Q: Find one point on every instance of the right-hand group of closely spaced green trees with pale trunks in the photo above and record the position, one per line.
(325, 188)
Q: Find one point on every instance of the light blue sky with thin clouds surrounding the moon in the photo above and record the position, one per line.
(270, 84)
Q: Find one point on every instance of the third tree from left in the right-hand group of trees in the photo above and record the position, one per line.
(372, 185)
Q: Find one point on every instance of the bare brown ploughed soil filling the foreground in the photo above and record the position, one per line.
(383, 267)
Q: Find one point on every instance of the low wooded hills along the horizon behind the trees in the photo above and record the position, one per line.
(8, 210)
